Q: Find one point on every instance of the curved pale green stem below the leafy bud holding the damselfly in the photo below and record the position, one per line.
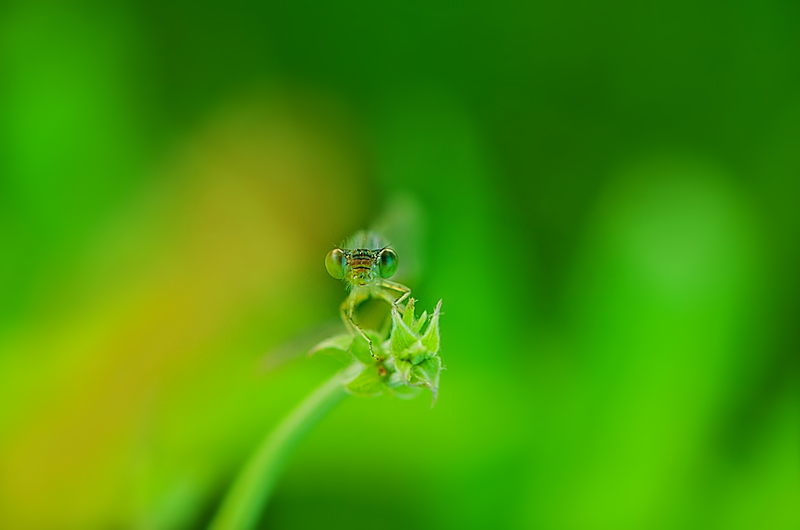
(245, 500)
